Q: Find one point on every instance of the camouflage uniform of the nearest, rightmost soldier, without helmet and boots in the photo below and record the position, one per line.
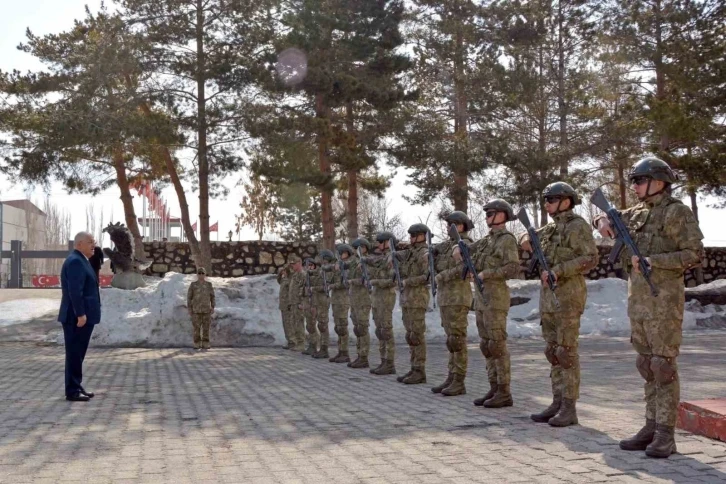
(666, 231)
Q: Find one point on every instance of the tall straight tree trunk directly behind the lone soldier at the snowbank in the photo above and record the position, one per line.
(205, 247)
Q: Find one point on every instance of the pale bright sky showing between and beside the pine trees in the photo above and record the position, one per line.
(47, 16)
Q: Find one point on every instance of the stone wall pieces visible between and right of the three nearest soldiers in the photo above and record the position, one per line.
(713, 266)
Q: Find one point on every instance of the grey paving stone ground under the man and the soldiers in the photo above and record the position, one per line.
(266, 415)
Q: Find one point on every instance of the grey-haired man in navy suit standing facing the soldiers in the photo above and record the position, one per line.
(80, 311)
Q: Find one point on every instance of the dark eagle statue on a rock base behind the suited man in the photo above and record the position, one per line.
(127, 268)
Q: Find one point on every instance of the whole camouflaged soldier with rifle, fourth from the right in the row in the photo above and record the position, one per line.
(454, 298)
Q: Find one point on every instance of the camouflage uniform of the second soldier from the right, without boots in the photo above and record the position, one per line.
(570, 250)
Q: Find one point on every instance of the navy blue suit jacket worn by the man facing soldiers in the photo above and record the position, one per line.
(81, 296)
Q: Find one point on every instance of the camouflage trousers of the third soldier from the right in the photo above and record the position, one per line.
(492, 327)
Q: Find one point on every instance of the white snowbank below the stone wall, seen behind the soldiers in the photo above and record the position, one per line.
(247, 313)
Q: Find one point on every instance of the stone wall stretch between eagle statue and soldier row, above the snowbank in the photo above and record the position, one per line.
(229, 259)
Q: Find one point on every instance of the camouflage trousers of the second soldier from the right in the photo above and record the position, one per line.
(561, 331)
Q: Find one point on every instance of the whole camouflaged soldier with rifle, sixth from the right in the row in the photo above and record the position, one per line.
(383, 301)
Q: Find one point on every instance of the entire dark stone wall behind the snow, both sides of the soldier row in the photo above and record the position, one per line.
(234, 259)
